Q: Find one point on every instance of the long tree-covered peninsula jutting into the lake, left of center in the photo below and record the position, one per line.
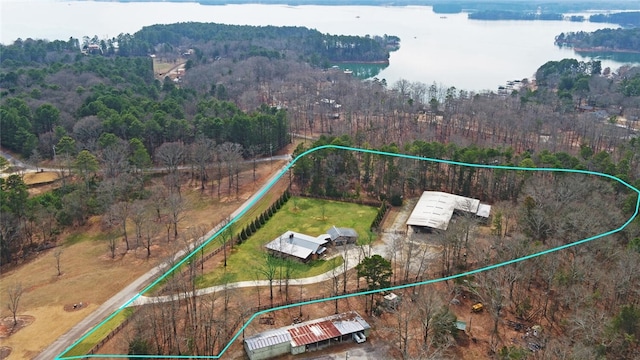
(311, 45)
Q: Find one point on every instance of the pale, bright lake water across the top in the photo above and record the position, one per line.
(449, 50)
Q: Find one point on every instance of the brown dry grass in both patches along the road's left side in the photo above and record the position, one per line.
(91, 276)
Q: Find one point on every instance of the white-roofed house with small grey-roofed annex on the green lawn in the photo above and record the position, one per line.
(304, 247)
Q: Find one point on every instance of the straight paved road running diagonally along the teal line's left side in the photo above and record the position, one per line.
(125, 296)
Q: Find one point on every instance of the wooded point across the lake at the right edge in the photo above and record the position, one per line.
(627, 40)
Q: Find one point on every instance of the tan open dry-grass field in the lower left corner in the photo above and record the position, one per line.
(83, 264)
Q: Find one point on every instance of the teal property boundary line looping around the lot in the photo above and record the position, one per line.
(270, 185)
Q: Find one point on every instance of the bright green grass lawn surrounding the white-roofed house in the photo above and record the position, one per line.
(308, 216)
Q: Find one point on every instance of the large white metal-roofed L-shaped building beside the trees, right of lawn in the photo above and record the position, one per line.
(435, 209)
